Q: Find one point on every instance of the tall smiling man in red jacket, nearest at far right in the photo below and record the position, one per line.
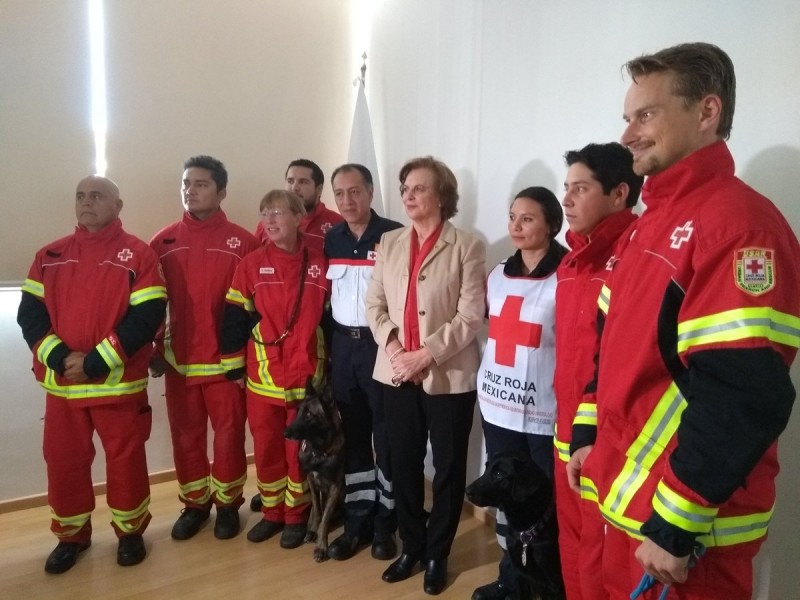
(701, 322)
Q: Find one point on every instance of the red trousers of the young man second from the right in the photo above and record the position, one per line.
(580, 540)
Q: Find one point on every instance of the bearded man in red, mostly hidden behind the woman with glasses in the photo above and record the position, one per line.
(305, 178)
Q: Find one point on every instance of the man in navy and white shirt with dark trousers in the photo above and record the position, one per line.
(351, 250)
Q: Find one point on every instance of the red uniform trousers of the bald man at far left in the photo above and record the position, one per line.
(123, 428)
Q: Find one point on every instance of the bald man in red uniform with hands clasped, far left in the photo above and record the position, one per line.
(90, 308)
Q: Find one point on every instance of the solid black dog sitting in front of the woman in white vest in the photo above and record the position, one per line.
(513, 483)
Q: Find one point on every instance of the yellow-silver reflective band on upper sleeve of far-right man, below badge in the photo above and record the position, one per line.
(739, 324)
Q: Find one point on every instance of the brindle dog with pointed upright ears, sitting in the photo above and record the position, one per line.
(319, 428)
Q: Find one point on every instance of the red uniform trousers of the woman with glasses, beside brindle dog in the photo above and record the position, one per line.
(281, 482)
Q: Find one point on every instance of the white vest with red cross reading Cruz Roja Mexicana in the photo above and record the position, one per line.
(515, 379)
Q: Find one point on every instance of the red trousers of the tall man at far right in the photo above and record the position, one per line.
(724, 573)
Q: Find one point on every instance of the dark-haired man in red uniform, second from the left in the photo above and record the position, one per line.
(199, 255)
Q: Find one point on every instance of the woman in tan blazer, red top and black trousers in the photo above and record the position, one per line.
(425, 305)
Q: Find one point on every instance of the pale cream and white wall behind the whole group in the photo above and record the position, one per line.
(499, 89)
